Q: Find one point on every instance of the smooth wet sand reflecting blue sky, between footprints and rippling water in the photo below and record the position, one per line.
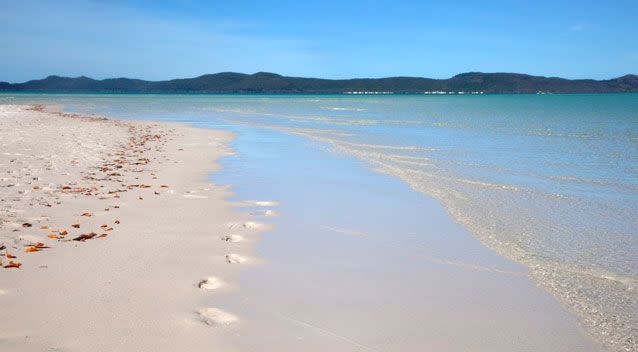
(388, 269)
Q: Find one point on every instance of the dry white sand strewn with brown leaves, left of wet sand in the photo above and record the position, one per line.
(159, 239)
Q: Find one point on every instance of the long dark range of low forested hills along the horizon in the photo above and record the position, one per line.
(264, 82)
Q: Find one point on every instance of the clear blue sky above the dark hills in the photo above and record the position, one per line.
(332, 39)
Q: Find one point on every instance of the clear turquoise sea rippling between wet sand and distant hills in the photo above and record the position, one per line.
(550, 181)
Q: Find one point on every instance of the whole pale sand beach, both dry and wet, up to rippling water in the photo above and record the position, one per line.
(114, 239)
